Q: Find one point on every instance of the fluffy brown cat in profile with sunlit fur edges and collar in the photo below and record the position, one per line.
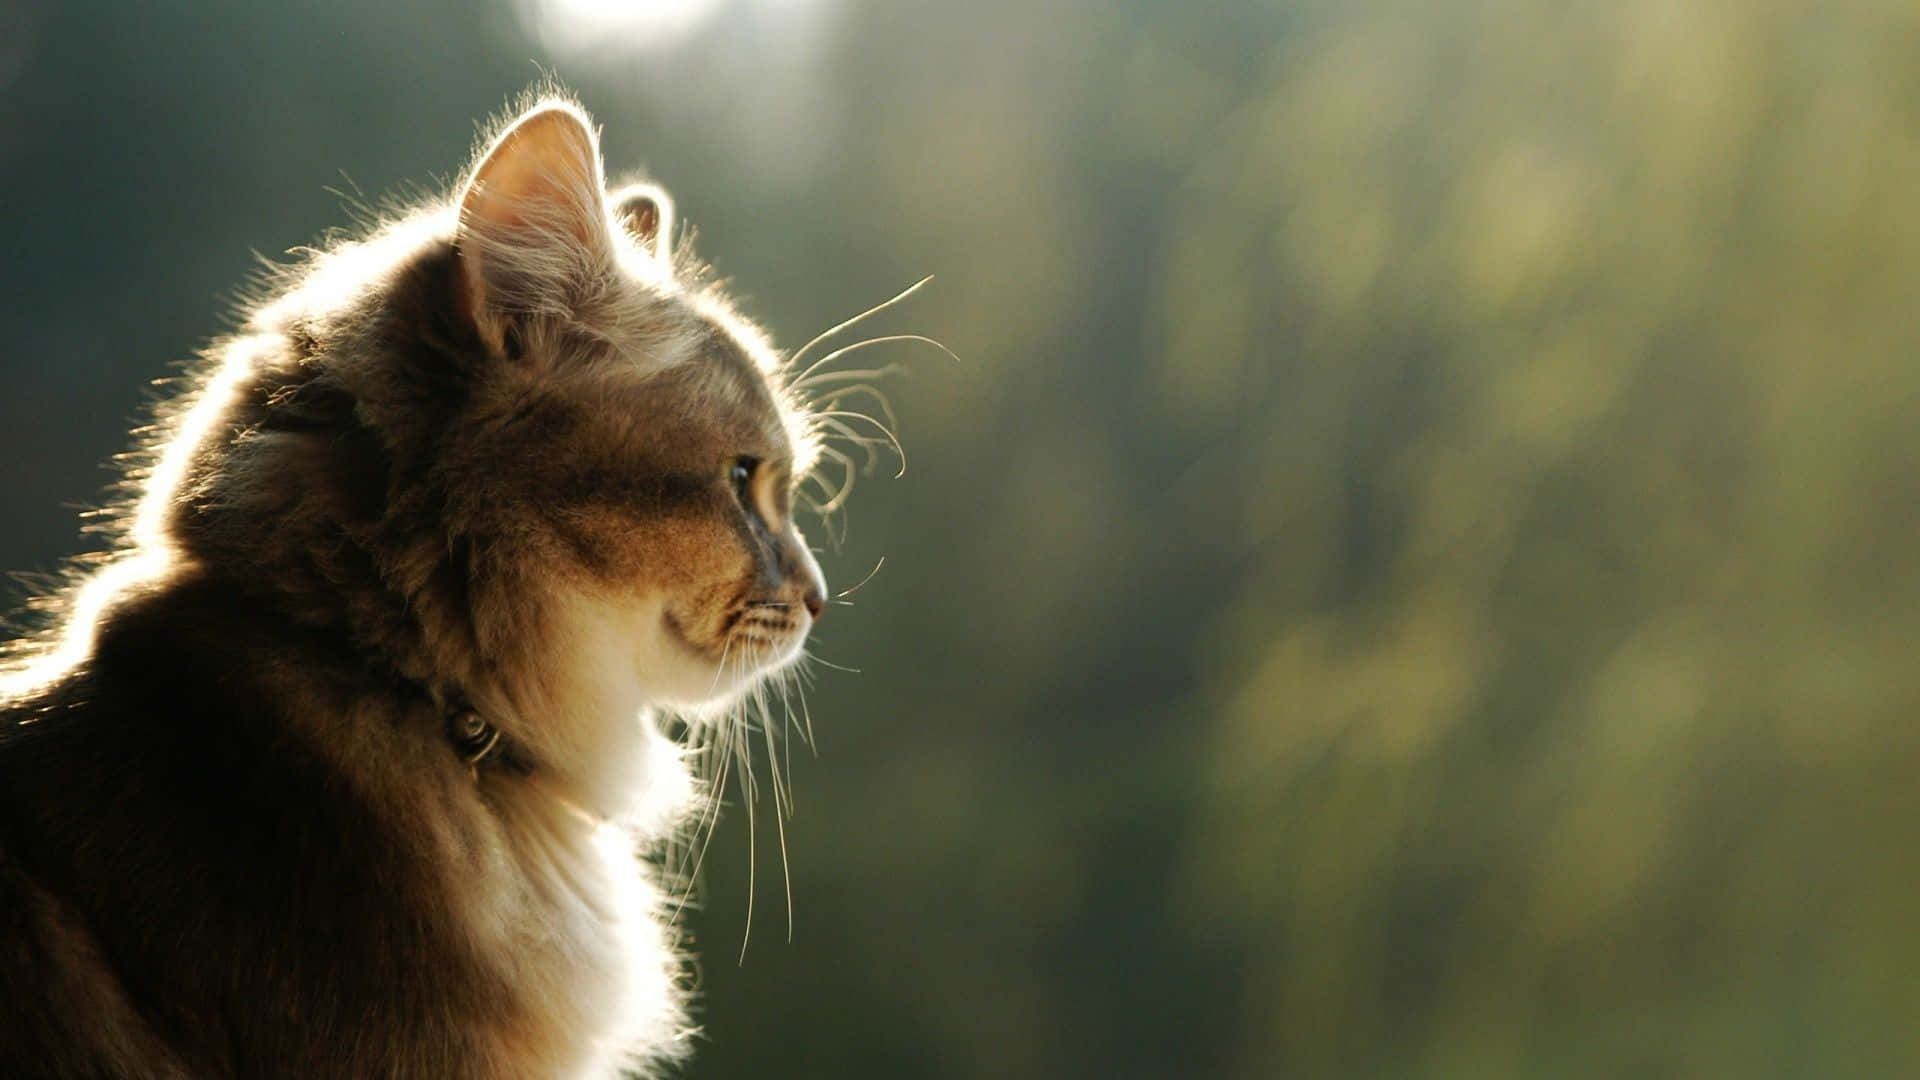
(345, 762)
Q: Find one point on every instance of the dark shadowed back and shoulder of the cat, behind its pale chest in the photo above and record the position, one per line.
(166, 812)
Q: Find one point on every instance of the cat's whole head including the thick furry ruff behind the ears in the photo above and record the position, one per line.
(517, 443)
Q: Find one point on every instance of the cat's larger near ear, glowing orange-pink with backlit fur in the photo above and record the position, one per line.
(535, 226)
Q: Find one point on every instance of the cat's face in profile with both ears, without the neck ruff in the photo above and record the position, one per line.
(633, 414)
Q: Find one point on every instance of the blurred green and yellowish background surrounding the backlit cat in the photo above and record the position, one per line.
(1414, 574)
